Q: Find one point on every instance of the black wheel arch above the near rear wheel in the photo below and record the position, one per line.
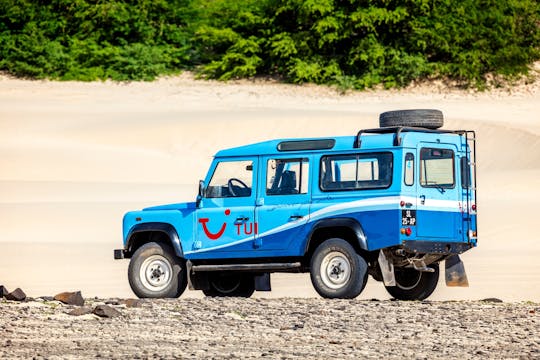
(348, 229)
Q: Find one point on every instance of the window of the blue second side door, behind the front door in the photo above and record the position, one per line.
(287, 176)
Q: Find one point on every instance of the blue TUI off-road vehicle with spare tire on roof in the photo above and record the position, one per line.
(392, 202)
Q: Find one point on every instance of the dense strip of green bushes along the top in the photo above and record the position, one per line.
(349, 43)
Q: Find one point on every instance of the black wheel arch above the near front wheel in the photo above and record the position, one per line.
(143, 233)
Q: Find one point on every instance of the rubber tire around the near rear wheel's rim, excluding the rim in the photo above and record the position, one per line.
(358, 276)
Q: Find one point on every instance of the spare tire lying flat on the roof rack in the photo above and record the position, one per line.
(425, 118)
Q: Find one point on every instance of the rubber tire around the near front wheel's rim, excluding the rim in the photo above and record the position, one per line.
(178, 280)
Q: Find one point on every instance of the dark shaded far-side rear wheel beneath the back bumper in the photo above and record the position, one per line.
(414, 285)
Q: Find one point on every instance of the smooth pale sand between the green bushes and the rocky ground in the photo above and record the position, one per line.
(75, 156)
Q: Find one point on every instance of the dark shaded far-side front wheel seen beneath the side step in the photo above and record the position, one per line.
(230, 285)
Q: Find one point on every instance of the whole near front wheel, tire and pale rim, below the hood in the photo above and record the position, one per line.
(156, 272)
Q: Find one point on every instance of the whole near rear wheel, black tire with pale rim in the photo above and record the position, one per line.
(337, 271)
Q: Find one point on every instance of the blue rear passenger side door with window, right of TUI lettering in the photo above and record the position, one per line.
(282, 207)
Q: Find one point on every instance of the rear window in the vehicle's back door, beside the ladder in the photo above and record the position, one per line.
(437, 168)
